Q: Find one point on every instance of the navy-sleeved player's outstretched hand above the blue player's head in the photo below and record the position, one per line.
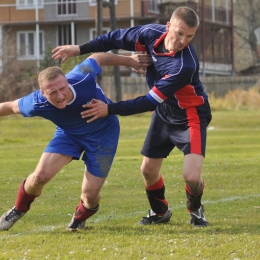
(65, 52)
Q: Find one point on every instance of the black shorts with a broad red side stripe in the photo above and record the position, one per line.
(183, 128)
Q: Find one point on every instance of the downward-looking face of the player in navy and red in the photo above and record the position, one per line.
(179, 35)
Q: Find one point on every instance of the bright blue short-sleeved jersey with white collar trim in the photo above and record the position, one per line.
(84, 87)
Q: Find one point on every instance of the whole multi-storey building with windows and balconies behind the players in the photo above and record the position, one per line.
(30, 29)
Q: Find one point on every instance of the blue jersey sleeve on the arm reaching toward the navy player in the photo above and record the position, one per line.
(79, 72)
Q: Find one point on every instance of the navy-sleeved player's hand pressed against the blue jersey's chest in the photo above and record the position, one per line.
(96, 109)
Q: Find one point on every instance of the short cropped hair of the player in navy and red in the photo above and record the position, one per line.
(187, 15)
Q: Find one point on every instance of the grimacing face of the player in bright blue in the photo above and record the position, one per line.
(57, 92)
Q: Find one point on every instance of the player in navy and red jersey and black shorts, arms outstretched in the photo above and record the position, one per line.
(182, 112)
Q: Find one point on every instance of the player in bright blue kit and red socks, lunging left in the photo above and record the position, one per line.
(60, 99)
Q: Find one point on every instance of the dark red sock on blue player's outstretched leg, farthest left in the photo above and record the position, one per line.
(23, 200)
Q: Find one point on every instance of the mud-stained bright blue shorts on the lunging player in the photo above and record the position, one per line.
(98, 150)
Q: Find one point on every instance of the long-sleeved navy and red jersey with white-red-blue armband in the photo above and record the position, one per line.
(173, 78)
